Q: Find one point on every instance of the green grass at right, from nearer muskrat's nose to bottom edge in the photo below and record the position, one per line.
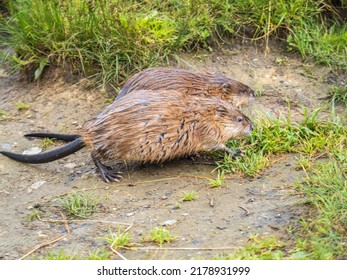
(321, 148)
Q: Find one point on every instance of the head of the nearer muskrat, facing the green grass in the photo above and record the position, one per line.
(233, 123)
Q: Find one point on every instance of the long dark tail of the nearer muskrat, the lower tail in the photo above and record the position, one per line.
(49, 156)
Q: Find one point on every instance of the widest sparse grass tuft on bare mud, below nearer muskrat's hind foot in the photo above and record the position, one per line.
(80, 205)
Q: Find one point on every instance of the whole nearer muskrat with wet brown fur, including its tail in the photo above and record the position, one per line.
(152, 126)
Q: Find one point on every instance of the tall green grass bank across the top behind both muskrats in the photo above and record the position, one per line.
(110, 40)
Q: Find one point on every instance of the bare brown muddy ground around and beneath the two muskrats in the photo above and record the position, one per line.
(150, 195)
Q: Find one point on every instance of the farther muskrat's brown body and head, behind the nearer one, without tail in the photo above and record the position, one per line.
(190, 83)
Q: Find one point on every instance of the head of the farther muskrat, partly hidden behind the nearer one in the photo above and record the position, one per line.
(237, 93)
